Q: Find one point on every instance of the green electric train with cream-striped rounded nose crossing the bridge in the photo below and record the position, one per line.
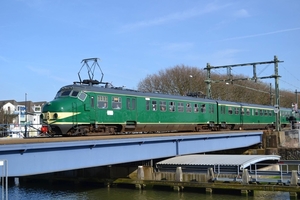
(91, 107)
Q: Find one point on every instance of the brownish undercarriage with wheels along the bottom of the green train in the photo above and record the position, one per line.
(128, 128)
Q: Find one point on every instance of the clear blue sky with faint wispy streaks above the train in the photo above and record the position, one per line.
(42, 42)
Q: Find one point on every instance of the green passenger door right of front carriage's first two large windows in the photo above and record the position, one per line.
(131, 110)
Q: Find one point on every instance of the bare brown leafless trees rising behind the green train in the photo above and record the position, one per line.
(186, 80)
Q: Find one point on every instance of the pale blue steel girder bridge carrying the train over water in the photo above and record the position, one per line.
(23, 157)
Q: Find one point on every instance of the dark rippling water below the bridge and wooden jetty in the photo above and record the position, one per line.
(71, 192)
